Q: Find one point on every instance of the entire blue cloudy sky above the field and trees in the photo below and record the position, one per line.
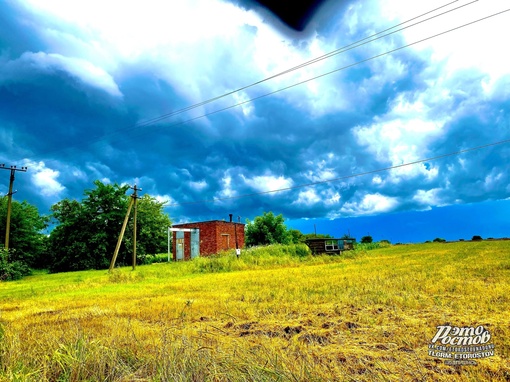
(89, 90)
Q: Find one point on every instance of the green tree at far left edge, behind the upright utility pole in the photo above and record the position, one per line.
(27, 240)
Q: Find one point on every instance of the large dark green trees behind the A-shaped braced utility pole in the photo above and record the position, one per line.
(86, 233)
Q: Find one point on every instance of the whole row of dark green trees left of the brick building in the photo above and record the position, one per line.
(84, 233)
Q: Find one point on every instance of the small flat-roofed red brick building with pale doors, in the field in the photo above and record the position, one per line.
(205, 238)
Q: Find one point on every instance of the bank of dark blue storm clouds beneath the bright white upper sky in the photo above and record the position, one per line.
(75, 118)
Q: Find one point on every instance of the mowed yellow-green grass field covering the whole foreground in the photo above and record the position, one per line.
(276, 313)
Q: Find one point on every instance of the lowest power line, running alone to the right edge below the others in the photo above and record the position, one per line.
(343, 177)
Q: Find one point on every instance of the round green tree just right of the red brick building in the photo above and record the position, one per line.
(267, 229)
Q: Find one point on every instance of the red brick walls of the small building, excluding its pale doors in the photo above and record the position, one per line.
(215, 236)
